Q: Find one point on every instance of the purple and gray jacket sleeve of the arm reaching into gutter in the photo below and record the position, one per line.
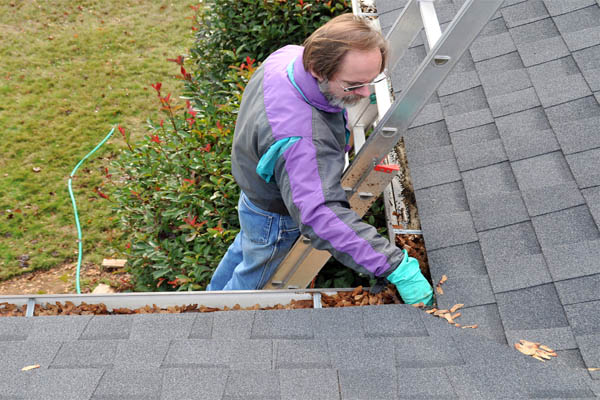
(309, 177)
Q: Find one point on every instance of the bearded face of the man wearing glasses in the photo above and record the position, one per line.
(357, 67)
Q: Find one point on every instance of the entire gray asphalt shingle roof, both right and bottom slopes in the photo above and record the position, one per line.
(504, 160)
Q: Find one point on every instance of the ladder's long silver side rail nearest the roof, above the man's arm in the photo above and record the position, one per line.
(459, 35)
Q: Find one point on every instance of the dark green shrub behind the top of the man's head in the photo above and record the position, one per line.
(229, 31)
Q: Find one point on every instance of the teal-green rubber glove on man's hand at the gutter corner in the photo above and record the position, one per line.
(410, 282)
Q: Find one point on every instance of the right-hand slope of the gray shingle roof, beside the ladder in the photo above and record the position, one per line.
(520, 115)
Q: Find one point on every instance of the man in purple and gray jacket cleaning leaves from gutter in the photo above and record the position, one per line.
(288, 158)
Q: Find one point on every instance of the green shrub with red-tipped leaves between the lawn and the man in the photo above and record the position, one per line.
(177, 198)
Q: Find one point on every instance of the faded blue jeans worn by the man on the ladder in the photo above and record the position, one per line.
(264, 240)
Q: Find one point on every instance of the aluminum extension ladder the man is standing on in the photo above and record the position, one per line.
(367, 176)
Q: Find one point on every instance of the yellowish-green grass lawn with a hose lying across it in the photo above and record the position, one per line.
(69, 71)
